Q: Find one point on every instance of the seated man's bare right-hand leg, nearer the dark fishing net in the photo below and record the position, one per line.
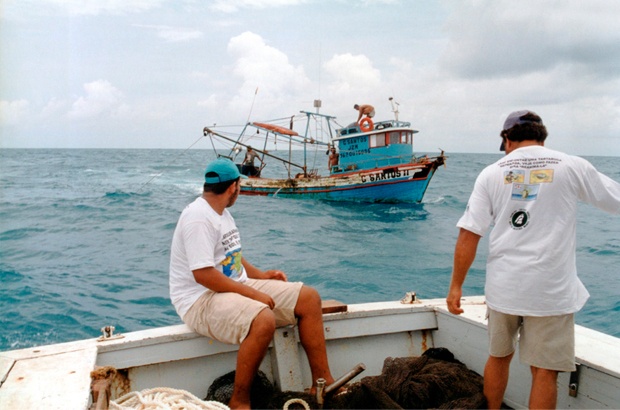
(310, 324)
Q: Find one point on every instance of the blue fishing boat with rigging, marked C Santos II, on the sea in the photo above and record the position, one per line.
(376, 160)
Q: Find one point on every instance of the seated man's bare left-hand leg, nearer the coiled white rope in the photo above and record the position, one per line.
(251, 353)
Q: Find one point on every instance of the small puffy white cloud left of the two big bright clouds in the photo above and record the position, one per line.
(101, 97)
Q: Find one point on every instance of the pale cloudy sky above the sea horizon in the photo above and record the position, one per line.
(153, 73)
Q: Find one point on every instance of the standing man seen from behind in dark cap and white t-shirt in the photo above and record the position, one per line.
(532, 289)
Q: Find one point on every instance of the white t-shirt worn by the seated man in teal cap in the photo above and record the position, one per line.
(203, 238)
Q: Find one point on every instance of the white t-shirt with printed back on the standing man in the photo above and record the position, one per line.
(530, 197)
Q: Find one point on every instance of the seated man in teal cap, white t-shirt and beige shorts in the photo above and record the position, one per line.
(219, 294)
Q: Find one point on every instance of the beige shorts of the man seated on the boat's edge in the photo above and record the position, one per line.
(227, 317)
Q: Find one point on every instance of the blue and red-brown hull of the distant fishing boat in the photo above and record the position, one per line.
(404, 183)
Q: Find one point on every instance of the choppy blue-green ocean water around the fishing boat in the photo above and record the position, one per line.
(85, 237)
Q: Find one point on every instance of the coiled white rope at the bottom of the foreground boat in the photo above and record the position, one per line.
(162, 398)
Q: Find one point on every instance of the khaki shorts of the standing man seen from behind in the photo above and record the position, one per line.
(545, 342)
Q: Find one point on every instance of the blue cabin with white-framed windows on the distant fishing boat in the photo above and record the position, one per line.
(386, 143)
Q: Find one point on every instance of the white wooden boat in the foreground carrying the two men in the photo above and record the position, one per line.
(359, 338)
